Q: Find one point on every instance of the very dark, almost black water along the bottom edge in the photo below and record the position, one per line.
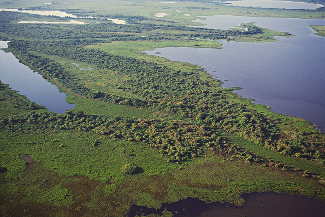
(256, 205)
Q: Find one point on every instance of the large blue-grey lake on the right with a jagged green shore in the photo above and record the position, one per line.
(288, 75)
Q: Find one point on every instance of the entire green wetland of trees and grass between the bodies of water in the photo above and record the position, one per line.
(145, 130)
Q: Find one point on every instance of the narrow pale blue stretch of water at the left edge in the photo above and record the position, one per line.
(31, 84)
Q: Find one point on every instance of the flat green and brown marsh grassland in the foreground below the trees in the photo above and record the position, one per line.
(59, 185)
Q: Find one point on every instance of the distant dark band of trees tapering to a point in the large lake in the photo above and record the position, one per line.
(111, 31)
